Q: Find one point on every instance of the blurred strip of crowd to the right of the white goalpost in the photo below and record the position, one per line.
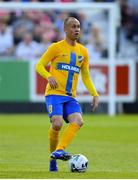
(128, 31)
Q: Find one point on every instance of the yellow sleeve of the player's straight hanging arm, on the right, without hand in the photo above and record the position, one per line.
(86, 78)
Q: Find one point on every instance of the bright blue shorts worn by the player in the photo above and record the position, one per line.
(62, 105)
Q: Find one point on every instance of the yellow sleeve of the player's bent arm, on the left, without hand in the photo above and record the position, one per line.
(47, 57)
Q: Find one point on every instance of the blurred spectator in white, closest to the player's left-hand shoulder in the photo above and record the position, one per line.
(28, 49)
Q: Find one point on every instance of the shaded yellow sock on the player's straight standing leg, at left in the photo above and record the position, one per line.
(53, 137)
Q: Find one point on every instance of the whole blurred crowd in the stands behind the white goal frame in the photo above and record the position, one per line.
(25, 35)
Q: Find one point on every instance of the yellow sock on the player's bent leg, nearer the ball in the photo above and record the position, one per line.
(68, 135)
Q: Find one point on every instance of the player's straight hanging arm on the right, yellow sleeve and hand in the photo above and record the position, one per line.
(86, 78)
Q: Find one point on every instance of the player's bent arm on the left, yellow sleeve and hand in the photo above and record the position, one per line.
(41, 64)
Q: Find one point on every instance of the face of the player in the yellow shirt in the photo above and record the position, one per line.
(72, 29)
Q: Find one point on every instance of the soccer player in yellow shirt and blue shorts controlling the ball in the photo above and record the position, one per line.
(67, 59)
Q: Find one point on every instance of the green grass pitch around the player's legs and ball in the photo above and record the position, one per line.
(110, 144)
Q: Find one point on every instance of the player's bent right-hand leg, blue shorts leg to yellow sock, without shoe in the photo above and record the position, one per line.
(72, 112)
